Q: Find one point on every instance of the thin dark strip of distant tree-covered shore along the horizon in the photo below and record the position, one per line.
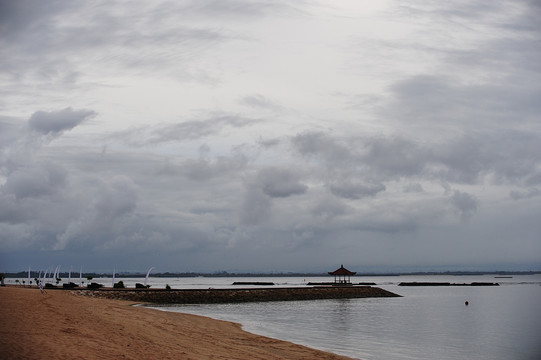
(75, 274)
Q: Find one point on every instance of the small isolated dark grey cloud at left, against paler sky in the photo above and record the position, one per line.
(55, 122)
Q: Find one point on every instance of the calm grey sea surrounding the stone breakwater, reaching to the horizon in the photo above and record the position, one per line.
(499, 323)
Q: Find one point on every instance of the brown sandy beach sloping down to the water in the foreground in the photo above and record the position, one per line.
(61, 325)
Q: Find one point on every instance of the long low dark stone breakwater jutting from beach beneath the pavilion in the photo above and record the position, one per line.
(214, 296)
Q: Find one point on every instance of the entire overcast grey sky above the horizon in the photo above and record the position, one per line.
(270, 136)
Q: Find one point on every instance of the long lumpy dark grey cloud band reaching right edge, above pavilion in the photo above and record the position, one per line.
(464, 159)
